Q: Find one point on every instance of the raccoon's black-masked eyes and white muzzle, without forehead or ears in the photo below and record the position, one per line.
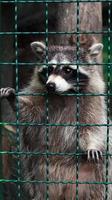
(64, 78)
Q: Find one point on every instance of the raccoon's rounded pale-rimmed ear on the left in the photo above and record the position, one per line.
(39, 49)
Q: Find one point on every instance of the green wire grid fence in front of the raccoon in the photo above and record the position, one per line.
(108, 64)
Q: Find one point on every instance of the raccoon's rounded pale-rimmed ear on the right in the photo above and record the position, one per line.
(95, 49)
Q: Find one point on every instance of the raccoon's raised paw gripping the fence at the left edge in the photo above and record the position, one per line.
(7, 92)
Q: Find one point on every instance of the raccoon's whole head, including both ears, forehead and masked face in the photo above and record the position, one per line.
(62, 74)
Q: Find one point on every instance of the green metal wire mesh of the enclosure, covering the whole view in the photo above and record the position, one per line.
(17, 152)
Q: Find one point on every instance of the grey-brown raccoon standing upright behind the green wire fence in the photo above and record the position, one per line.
(62, 125)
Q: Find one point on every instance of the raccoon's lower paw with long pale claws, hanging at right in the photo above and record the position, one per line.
(93, 154)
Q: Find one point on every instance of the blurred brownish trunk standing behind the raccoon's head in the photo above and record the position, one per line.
(90, 19)
